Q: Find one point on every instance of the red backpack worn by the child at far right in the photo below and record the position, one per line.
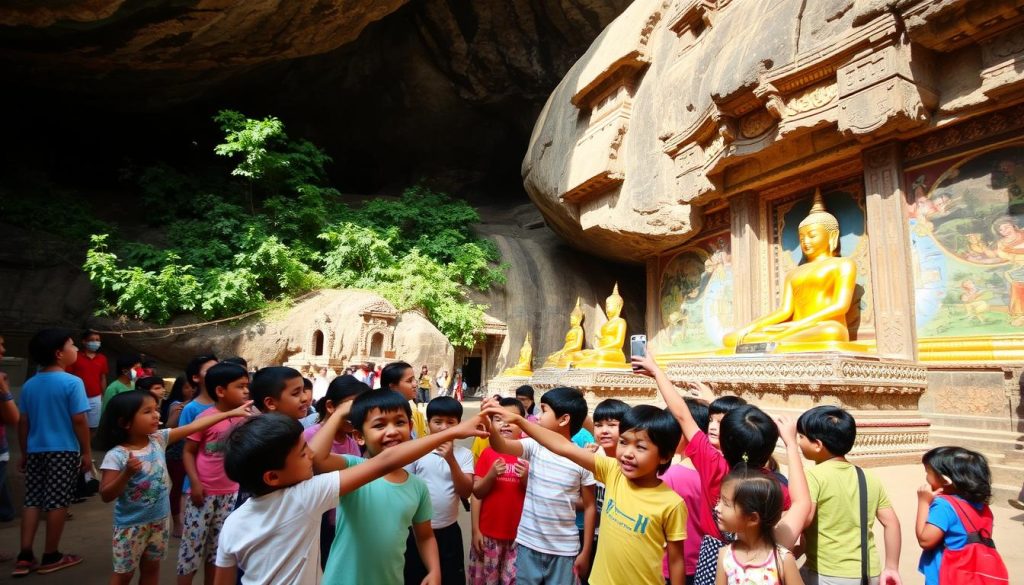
(977, 563)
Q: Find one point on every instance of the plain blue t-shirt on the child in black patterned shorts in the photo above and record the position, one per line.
(51, 400)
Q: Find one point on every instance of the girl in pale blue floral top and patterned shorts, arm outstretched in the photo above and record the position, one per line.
(136, 475)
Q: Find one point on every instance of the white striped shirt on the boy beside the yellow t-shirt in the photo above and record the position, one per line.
(548, 523)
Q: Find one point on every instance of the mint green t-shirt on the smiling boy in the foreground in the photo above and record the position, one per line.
(372, 527)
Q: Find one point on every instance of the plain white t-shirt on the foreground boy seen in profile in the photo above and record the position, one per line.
(276, 538)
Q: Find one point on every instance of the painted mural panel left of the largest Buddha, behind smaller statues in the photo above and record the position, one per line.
(697, 298)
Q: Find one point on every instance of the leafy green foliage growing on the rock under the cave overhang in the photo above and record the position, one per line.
(278, 230)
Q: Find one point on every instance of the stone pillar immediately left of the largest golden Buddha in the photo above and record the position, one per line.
(746, 253)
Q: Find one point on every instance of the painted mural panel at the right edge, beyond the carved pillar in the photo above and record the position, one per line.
(968, 244)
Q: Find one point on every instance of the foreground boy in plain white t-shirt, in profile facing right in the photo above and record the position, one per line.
(275, 536)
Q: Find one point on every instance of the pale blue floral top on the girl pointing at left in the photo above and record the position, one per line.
(146, 498)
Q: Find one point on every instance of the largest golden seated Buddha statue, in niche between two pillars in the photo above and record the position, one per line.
(817, 295)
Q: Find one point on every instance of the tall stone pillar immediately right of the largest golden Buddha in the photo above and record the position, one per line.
(889, 247)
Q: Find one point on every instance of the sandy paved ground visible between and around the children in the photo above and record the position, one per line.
(90, 533)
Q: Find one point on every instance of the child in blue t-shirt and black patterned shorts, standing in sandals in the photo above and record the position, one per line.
(55, 433)
